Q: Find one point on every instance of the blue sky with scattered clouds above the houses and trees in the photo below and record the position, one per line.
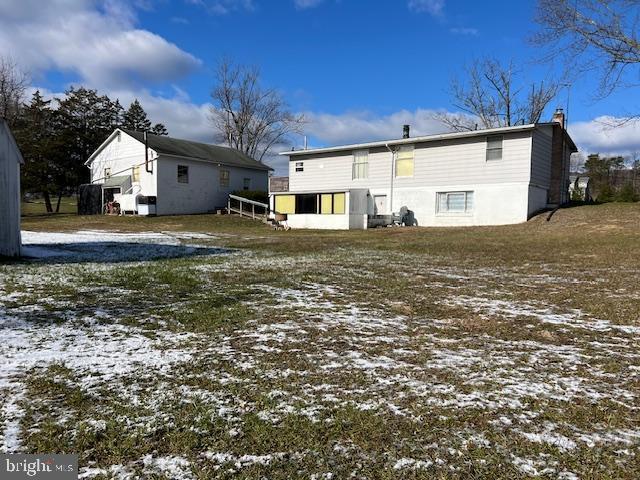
(357, 69)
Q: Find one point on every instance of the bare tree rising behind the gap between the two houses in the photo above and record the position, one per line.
(248, 117)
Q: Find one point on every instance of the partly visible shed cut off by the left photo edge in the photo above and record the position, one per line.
(10, 161)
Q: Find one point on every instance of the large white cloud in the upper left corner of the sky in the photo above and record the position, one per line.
(97, 40)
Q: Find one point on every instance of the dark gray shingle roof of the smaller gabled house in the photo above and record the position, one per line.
(201, 151)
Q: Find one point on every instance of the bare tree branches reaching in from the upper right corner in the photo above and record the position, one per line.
(593, 34)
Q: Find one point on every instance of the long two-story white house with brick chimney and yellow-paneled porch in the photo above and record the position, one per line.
(483, 177)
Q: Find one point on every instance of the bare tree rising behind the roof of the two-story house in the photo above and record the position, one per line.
(490, 97)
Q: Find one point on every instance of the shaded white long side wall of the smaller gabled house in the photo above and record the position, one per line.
(203, 193)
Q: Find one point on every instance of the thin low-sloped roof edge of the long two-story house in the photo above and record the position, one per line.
(427, 138)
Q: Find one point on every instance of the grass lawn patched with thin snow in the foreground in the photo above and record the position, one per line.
(213, 347)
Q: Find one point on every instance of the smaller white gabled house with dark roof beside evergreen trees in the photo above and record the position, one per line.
(185, 177)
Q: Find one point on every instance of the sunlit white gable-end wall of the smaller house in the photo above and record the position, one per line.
(121, 155)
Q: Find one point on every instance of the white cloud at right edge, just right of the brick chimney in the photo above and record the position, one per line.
(601, 135)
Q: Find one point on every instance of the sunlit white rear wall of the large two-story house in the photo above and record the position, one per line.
(501, 187)
